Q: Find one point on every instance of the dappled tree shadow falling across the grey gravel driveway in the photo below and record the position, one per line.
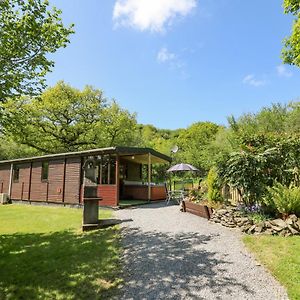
(164, 266)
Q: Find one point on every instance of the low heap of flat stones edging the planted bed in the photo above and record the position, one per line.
(231, 217)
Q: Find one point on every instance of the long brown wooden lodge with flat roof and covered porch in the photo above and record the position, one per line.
(121, 173)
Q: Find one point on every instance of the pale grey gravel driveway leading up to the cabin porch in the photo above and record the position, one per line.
(173, 255)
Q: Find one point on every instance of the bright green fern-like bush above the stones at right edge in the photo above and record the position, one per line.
(282, 199)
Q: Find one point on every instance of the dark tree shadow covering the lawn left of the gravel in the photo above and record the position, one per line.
(59, 265)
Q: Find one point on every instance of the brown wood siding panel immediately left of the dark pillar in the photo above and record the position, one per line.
(72, 183)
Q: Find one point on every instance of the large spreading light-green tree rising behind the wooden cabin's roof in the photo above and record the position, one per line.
(66, 119)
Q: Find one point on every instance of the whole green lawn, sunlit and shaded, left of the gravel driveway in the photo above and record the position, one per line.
(44, 255)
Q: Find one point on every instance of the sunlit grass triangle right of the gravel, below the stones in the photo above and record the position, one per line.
(281, 256)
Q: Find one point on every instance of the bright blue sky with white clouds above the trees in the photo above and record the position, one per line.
(177, 62)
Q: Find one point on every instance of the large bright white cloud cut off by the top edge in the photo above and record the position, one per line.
(153, 15)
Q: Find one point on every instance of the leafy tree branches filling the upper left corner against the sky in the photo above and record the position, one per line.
(29, 31)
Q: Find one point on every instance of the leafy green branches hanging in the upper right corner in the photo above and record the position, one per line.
(291, 50)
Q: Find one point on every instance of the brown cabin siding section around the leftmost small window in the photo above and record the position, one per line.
(20, 188)
